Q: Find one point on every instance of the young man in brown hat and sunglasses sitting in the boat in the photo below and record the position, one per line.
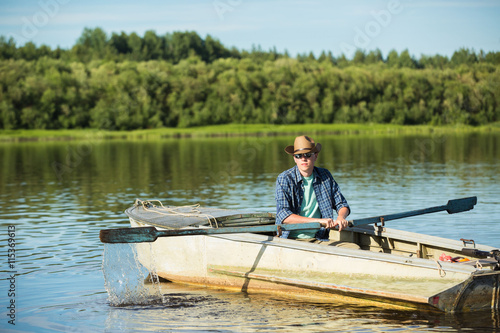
(306, 193)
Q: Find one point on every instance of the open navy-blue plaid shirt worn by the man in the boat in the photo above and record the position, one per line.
(290, 192)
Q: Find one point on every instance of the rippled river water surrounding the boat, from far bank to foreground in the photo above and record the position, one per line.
(56, 196)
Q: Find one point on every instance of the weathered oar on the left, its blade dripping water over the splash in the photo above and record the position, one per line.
(150, 234)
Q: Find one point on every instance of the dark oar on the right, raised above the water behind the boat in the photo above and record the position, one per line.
(452, 207)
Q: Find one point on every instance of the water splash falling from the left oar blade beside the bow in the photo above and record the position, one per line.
(126, 280)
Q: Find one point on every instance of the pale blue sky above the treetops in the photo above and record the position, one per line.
(423, 27)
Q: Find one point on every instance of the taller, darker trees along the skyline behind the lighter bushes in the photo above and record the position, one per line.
(95, 44)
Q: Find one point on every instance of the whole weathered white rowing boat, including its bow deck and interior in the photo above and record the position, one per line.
(369, 262)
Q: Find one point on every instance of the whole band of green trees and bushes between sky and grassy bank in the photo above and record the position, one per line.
(127, 82)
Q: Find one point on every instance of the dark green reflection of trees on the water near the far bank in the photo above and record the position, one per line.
(210, 168)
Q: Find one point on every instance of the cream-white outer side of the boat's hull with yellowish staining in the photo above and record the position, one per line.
(262, 263)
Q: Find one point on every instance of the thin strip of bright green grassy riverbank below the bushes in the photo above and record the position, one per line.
(235, 130)
